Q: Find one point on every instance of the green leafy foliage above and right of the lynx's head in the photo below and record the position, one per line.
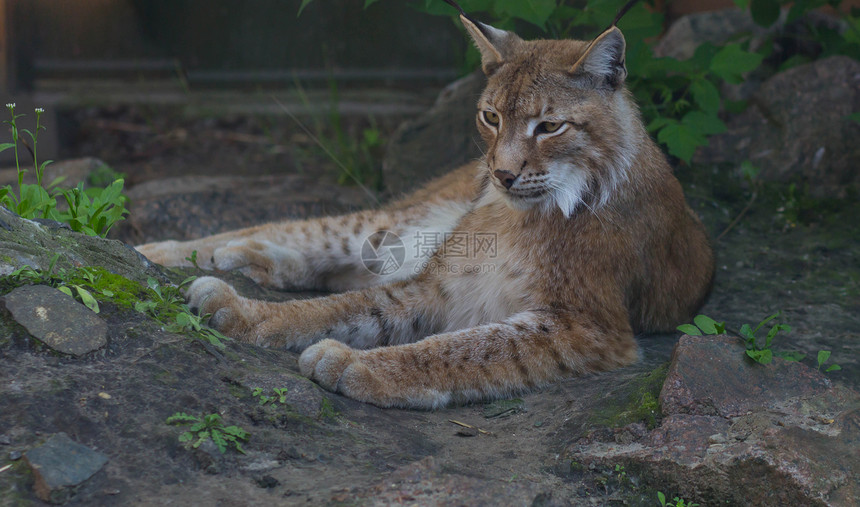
(680, 99)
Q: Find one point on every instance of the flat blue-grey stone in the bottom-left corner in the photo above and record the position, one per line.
(61, 464)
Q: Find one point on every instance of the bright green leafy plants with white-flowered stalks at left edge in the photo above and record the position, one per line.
(92, 211)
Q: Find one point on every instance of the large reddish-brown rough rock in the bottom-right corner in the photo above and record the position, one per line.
(741, 432)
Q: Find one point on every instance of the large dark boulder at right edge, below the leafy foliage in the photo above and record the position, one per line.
(797, 129)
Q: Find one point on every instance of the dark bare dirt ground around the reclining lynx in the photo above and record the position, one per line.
(317, 448)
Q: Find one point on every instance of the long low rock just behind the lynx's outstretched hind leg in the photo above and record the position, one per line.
(188, 207)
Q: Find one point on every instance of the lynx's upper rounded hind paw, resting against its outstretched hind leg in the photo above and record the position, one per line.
(262, 261)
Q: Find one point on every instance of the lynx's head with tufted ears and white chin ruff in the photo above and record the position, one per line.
(559, 126)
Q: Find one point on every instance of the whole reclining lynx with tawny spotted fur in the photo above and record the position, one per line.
(569, 237)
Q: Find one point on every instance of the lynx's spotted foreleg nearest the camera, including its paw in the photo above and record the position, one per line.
(527, 350)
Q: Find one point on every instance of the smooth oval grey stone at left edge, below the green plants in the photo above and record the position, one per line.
(56, 319)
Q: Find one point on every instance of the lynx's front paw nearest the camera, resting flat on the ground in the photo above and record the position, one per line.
(339, 368)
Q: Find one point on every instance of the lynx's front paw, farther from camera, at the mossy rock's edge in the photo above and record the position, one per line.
(228, 310)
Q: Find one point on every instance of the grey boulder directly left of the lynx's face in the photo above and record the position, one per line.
(441, 139)
